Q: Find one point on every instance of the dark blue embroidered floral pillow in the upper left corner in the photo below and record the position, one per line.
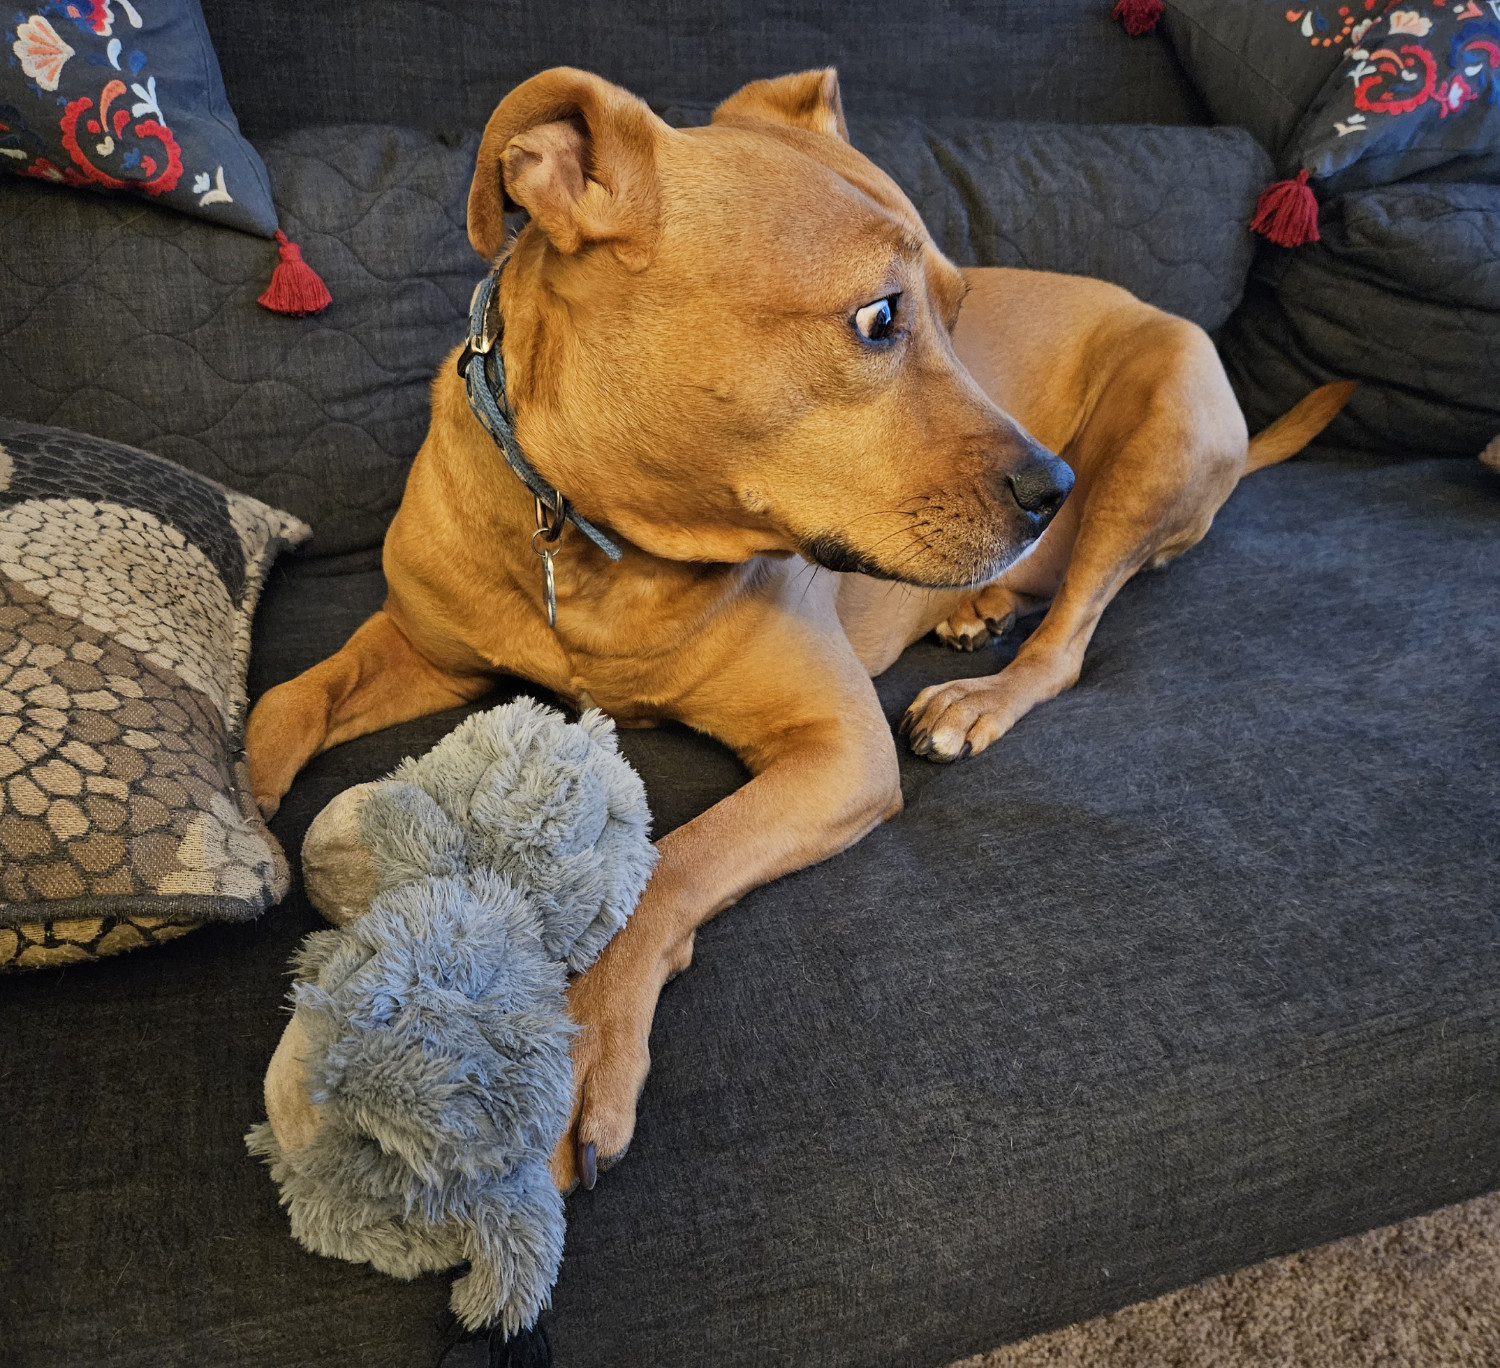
(104, 95)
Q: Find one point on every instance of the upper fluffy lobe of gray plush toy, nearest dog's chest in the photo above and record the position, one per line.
(518, 791)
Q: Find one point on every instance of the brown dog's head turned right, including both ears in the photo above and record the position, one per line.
(737, 340)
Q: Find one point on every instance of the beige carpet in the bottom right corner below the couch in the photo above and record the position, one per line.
(1420, 1295)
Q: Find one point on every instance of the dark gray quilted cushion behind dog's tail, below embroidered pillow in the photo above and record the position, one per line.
(1403, 295)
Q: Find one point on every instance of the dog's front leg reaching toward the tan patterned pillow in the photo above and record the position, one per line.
(376, 682)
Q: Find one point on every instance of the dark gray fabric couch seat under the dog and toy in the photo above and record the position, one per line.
(1196, 967)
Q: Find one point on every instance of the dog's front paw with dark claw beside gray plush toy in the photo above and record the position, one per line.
(611, 1060)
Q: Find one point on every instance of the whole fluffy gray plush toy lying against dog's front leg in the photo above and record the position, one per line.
(425, 1078)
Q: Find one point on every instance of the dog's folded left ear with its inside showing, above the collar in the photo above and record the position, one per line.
(577, 154)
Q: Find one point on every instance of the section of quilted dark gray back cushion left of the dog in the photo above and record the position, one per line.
(317, 416)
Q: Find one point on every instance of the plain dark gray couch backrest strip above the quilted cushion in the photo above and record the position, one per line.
(443, 65)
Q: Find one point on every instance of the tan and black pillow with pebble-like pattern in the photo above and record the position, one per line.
(127, 595)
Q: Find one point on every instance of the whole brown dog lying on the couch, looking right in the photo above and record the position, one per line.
(737, 349)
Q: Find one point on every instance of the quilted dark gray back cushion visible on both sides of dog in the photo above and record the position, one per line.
(322, 416)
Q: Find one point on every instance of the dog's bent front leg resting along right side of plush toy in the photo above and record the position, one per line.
(824, 773)
